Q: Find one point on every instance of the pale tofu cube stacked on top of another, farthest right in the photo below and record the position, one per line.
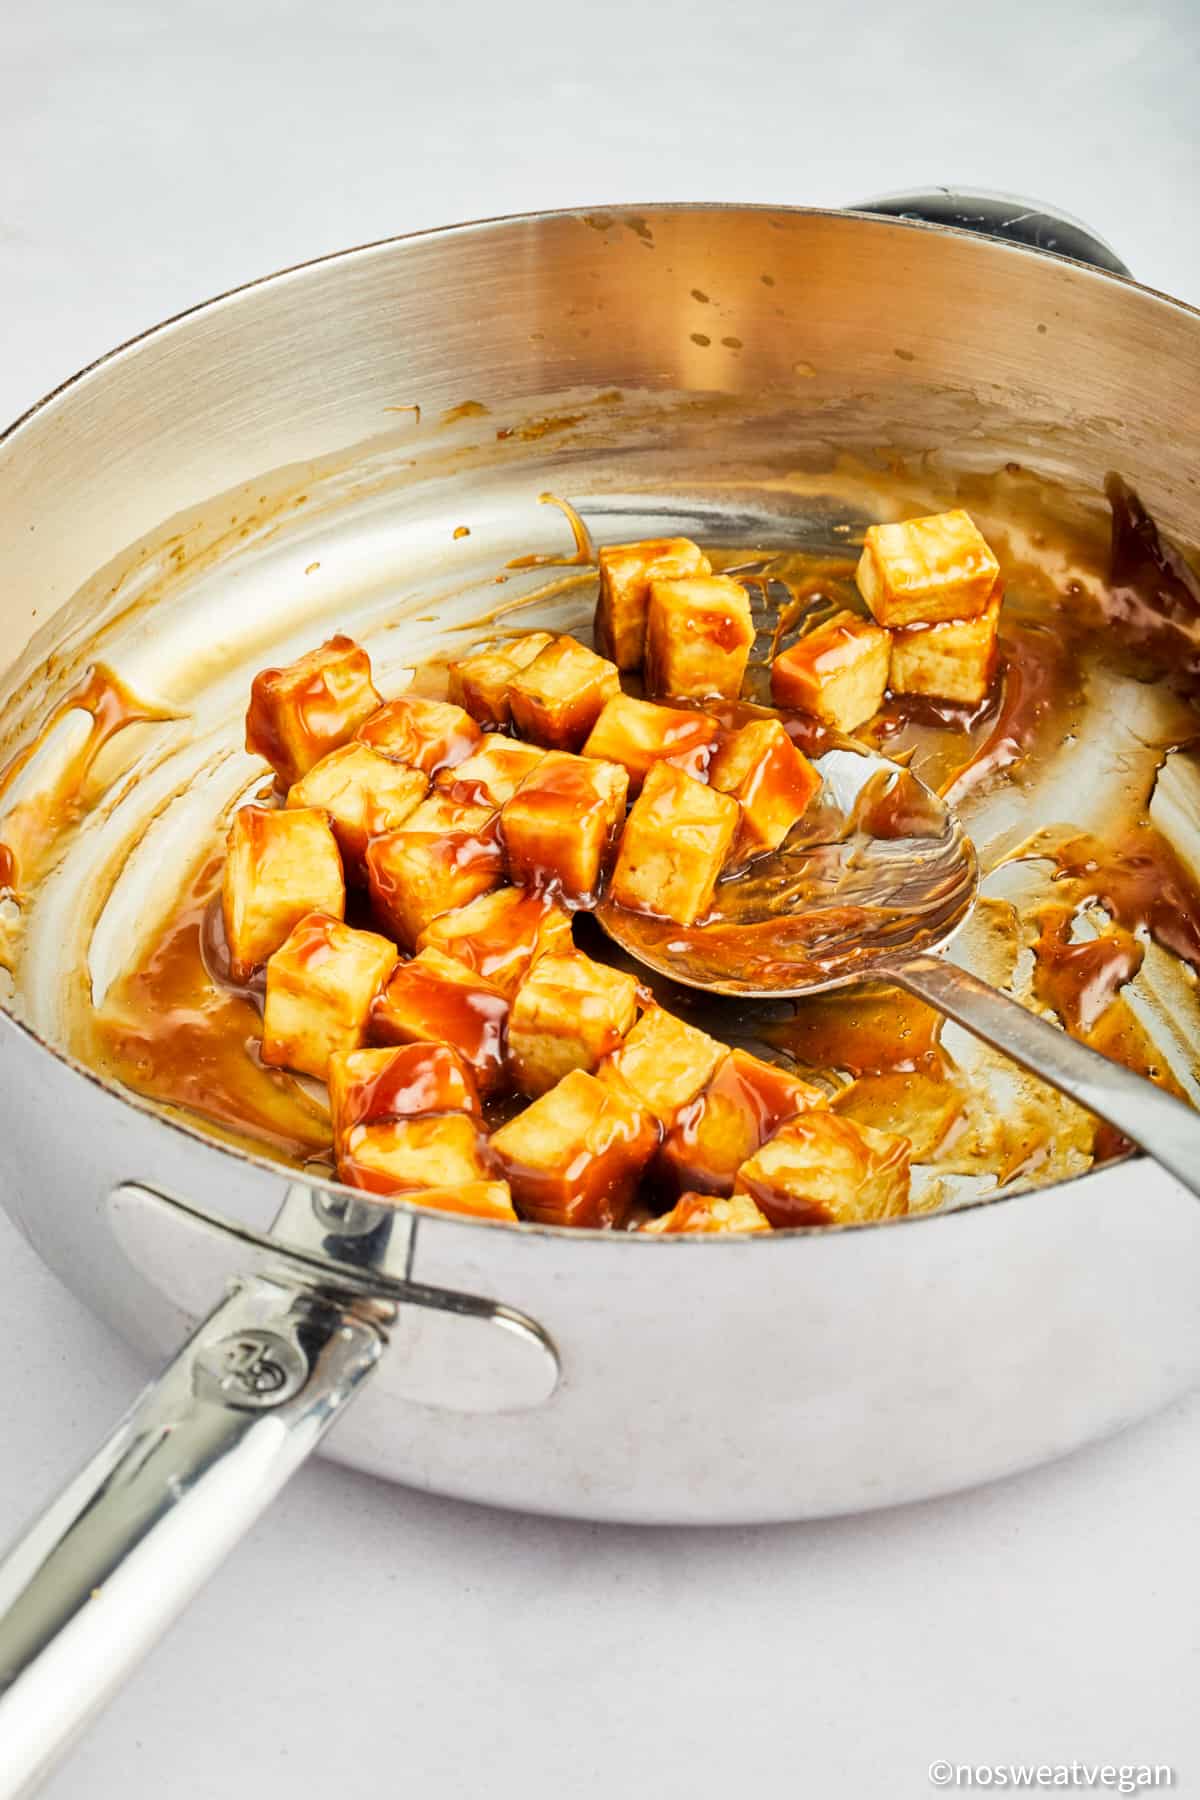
(927, 570)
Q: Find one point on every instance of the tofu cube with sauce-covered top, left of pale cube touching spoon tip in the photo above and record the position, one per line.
(562, 825)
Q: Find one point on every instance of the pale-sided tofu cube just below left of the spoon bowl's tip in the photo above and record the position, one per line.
(568, 1014)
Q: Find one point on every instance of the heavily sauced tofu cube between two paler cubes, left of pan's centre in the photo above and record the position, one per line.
(436, 1000)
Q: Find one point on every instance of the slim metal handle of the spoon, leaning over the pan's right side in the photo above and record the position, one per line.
(1163, 1126)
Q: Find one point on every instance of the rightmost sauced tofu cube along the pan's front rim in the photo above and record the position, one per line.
(827, 1171)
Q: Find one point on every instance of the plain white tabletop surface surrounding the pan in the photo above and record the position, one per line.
(370, 1639)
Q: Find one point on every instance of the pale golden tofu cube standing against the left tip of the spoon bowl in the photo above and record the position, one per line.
(676, 843)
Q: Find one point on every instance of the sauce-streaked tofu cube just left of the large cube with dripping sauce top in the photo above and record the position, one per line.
(442, 858)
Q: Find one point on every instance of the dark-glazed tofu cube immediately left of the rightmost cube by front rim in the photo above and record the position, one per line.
(730, 1120)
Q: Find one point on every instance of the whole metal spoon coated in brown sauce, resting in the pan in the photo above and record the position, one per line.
(872, 883)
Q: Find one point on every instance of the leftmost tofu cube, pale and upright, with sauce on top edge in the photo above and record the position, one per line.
(278, 868)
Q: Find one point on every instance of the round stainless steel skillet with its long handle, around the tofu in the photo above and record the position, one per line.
(255, 472)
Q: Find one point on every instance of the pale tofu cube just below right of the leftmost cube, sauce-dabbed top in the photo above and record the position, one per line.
(321, 985)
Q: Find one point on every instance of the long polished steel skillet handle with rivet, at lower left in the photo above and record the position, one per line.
(190, 1470)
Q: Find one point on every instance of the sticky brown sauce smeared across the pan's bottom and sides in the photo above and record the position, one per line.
(175, 1029)
